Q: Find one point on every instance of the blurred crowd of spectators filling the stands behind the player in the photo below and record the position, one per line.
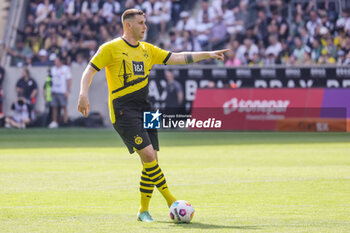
(257, 32)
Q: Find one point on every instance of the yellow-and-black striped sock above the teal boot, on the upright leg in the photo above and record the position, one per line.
(146, 190)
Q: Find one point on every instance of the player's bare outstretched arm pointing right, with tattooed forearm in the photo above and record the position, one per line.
(191, 57)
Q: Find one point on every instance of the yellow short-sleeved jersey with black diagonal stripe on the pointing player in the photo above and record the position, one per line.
(127, 67)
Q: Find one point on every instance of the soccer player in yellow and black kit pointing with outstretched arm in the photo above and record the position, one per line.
(128, 62)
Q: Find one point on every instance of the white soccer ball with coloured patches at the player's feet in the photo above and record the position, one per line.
(181, 211)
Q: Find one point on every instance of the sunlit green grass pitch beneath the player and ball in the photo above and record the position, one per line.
(84, 180)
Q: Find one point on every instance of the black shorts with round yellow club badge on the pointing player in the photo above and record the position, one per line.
(129, 125)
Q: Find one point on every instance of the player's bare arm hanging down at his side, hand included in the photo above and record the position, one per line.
(86, 79)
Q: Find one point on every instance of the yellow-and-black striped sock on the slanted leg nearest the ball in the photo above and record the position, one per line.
(156, 175)
